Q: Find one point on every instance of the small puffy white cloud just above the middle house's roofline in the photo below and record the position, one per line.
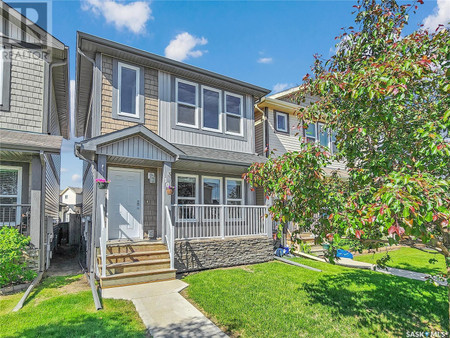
(183, 46)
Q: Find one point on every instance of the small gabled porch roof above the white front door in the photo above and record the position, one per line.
(135, 142)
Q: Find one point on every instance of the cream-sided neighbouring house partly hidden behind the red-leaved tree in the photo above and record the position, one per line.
(278, 129)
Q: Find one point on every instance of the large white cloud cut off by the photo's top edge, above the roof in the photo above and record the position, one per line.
(132, 16)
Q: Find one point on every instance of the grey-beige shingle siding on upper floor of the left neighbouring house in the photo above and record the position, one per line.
(27, 91)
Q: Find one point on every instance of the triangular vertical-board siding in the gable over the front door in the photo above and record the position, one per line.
(135, 147)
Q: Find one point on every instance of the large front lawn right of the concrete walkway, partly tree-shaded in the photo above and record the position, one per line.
(280, 300)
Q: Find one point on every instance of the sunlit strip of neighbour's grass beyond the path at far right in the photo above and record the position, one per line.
(408, 259)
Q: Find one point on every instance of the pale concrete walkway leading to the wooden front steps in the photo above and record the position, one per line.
(164, 311)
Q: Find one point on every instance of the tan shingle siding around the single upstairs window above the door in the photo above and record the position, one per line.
(108, 123)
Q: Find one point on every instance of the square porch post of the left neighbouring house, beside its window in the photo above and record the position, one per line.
(35, 199)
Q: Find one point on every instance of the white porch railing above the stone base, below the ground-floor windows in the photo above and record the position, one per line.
(207, 221)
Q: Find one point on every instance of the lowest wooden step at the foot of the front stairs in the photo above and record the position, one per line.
(139, 277)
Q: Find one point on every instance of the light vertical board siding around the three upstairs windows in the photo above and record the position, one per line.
(167, 111)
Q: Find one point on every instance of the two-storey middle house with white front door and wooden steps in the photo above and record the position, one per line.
(173, 140)
